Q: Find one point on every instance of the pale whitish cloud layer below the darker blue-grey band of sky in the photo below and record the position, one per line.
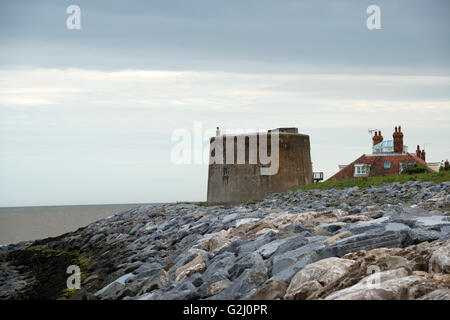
(101, 125)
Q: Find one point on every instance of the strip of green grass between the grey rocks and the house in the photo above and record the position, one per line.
(363, 183)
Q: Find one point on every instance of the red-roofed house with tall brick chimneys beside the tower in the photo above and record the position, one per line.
(388, 158)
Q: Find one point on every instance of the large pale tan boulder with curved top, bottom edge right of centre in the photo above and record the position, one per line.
(316, 275)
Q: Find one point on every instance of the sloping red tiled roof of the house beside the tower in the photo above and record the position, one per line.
(377, 165)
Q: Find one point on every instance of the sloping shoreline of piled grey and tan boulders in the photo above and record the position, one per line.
(259, 250)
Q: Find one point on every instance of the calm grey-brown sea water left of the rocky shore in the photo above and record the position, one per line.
(31, 223)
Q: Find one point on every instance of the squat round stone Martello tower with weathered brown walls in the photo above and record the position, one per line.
(252, 166)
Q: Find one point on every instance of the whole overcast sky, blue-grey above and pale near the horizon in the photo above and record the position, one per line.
(87, 116)
